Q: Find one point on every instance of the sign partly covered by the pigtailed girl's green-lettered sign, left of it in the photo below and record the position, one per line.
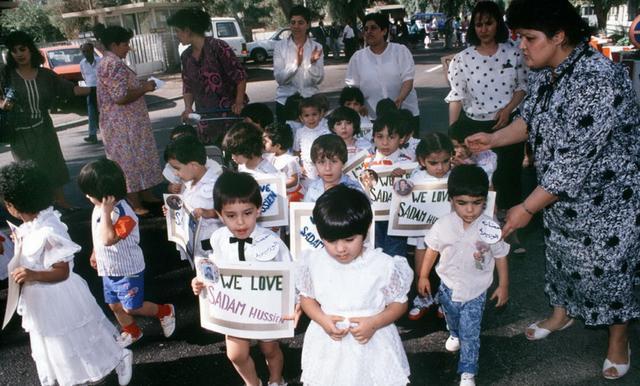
(380, 191)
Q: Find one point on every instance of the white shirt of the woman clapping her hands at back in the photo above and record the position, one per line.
(291, 78)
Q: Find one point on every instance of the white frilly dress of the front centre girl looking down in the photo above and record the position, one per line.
(363, 287)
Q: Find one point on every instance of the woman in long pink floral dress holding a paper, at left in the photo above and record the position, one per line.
(124, 120)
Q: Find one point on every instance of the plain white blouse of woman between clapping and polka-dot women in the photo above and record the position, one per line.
(381, 76)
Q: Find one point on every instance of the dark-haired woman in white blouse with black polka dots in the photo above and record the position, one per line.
(488, 82)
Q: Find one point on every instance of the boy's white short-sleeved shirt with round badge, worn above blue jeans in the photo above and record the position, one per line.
(457, 267)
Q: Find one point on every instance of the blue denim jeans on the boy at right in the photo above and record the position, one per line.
(464, 320)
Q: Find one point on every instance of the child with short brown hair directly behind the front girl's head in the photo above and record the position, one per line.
(329, 154)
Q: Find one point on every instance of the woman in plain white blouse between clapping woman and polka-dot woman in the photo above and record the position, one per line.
(383, 70)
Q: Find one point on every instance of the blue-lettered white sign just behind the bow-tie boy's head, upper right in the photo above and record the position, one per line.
(275, 204)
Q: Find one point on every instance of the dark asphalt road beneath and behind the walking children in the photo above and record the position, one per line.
(194, 356)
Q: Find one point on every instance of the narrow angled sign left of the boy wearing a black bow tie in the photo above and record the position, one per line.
(182, 225)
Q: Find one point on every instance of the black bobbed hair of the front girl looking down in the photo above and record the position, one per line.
(342, 212)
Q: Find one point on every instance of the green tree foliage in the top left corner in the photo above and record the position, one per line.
(32, 19)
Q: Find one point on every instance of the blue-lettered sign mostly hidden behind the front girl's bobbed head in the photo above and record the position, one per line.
(304, 234)
